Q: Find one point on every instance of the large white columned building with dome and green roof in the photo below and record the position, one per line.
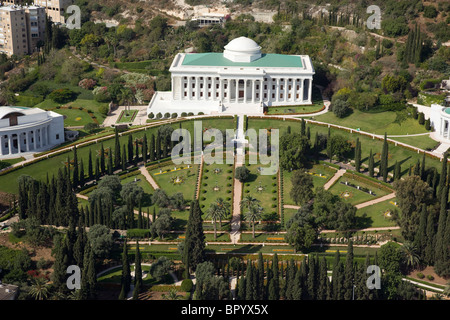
(239, 80)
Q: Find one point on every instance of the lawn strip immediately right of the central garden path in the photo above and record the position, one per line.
(262, 187)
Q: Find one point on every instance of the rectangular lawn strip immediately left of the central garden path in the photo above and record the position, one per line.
(217, 182)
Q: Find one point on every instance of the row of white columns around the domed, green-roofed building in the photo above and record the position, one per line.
(243, 90)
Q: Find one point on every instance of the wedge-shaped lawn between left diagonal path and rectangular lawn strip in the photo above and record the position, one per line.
(172, 179)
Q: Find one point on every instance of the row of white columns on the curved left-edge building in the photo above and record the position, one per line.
(25, 140)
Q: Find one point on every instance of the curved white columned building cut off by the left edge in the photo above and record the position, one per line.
(28, 130)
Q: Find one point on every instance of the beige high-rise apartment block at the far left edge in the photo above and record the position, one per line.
(21, 28)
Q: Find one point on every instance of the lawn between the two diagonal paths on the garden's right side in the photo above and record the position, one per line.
(353, 195)
